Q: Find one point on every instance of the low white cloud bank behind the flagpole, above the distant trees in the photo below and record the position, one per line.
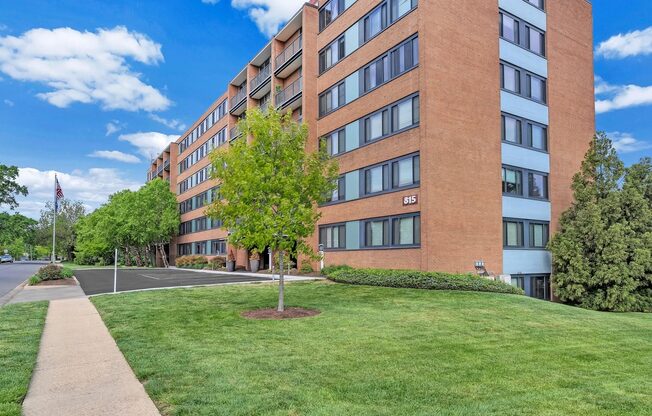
(92, 187)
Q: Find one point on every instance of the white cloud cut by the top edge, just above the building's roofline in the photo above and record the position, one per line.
(268, 14)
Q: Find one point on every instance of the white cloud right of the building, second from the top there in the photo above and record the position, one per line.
(617, 97)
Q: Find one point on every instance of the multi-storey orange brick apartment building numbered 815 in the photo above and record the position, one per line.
(457, 124)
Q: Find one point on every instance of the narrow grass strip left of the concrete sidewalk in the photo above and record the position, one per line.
(20, 335)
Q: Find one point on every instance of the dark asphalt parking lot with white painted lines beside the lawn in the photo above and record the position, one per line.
(97, 281)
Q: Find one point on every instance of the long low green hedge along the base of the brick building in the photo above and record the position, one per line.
(420, 280)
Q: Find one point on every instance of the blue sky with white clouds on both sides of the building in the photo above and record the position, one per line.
(91, 89)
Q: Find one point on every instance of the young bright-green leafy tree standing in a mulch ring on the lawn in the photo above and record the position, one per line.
(270, 187)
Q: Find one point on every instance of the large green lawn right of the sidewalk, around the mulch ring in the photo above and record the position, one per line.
(379, 351)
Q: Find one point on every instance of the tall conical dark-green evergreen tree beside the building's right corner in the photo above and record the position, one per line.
(596, 252)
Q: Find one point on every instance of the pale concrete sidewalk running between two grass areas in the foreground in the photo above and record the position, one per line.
(80, 370)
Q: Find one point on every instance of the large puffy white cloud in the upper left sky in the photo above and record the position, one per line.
(85, 67)
